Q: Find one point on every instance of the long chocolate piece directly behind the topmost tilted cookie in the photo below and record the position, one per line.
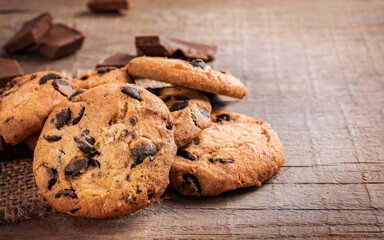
(157, 45)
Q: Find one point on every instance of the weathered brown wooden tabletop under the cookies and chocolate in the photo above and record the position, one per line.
(314, 70)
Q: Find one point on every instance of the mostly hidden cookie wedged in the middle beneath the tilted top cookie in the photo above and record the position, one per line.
(190, 111)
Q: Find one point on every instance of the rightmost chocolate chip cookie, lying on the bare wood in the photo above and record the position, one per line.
(235, 151)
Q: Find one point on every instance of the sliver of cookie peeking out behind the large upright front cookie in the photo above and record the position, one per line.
(102, 76)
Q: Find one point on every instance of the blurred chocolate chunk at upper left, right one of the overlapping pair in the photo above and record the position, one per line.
(60, 41)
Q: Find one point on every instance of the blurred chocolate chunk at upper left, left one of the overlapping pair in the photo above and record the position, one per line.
(30, 33)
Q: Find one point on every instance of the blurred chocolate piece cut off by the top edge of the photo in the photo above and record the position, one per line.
(108, 5)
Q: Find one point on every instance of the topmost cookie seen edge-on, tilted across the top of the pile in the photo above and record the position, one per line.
(195, 74)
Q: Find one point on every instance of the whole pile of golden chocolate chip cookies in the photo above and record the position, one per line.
(107, 147)
